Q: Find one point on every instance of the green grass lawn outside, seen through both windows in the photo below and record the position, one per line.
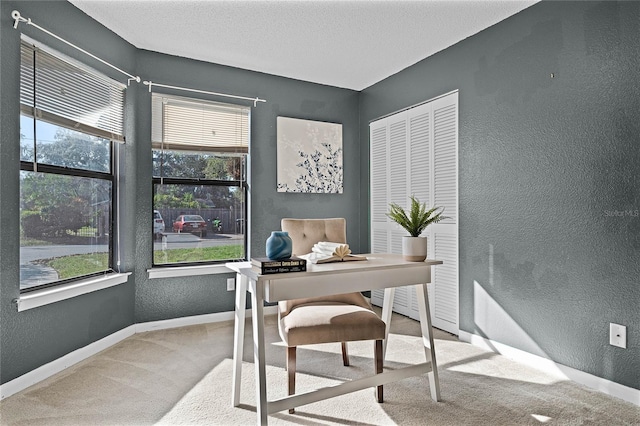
(84, 264)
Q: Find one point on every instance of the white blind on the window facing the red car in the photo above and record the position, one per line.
(186, 124)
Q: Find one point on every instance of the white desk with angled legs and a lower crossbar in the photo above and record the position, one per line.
(379, 271)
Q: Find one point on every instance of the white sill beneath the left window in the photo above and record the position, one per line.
(46, 296)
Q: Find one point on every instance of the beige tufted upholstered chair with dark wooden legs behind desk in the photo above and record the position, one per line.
(339, 318)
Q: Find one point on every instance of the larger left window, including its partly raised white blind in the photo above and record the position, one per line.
(70, 117)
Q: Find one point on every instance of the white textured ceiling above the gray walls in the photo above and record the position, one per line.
(351, 43)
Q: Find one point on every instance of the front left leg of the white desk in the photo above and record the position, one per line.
(257, 306)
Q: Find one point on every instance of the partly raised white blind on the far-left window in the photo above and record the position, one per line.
(55, 90)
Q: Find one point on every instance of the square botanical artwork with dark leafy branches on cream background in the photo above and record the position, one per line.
(309, 156)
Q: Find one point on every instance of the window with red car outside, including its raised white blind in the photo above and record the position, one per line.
(199, 180)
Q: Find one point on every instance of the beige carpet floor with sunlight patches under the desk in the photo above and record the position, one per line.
(182, 376)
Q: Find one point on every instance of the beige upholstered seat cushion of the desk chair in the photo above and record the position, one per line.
(325, 322)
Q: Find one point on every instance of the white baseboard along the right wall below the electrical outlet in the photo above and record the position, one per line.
(561, 371)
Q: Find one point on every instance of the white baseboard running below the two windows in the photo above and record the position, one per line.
(41, 373)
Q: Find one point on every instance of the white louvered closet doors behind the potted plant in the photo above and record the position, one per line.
(414, 152)
